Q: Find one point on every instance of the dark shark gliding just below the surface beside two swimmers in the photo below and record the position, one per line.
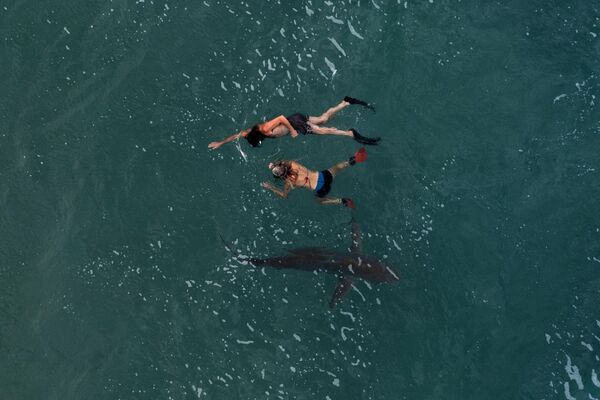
(345, 265)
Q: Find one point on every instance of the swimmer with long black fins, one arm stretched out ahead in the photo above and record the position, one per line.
(299, 123)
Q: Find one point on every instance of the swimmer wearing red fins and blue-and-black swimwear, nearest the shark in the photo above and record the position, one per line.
(296, 175)
